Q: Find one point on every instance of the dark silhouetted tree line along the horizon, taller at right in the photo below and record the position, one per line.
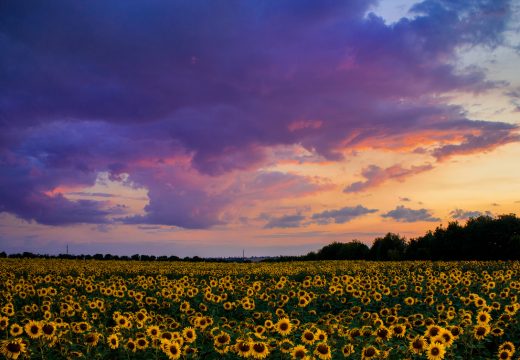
(480, 238)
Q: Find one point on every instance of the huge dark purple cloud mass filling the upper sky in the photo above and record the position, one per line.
(127, 89)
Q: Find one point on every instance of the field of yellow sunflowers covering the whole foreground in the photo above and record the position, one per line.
(65, 309)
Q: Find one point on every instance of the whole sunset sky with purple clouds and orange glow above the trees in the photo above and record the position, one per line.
(271, 127)
